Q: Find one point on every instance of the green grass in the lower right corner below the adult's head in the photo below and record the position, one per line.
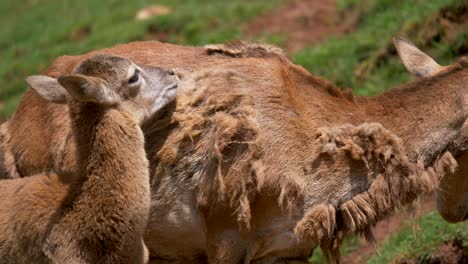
(434, 231)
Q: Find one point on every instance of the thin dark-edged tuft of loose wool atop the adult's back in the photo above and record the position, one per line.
(244, 49)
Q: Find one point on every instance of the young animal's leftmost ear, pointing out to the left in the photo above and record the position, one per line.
(47, 87)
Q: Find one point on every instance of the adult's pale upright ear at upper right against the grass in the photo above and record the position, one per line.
(416, 62)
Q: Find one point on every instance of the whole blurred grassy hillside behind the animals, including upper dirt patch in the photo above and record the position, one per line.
(345, 41)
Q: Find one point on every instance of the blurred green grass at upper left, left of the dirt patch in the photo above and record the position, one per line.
(35, 32)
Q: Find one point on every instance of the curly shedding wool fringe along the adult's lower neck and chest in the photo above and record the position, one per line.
(399, 182)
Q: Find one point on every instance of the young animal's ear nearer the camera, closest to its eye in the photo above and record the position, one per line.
(88, 89)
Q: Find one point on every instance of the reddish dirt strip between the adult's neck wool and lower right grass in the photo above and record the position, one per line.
(385, 228)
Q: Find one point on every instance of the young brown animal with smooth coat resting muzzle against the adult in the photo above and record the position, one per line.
(98, 214)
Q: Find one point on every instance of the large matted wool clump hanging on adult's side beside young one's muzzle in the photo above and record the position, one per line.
(213, 141)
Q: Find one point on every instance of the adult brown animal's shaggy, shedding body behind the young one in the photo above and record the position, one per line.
(259, 161)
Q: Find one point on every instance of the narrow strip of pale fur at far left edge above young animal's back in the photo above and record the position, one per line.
(8, 168)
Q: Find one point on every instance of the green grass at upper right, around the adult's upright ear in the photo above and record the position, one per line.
(344, 60)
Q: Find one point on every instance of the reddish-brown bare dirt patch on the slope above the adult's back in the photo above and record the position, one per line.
(304, 22)
